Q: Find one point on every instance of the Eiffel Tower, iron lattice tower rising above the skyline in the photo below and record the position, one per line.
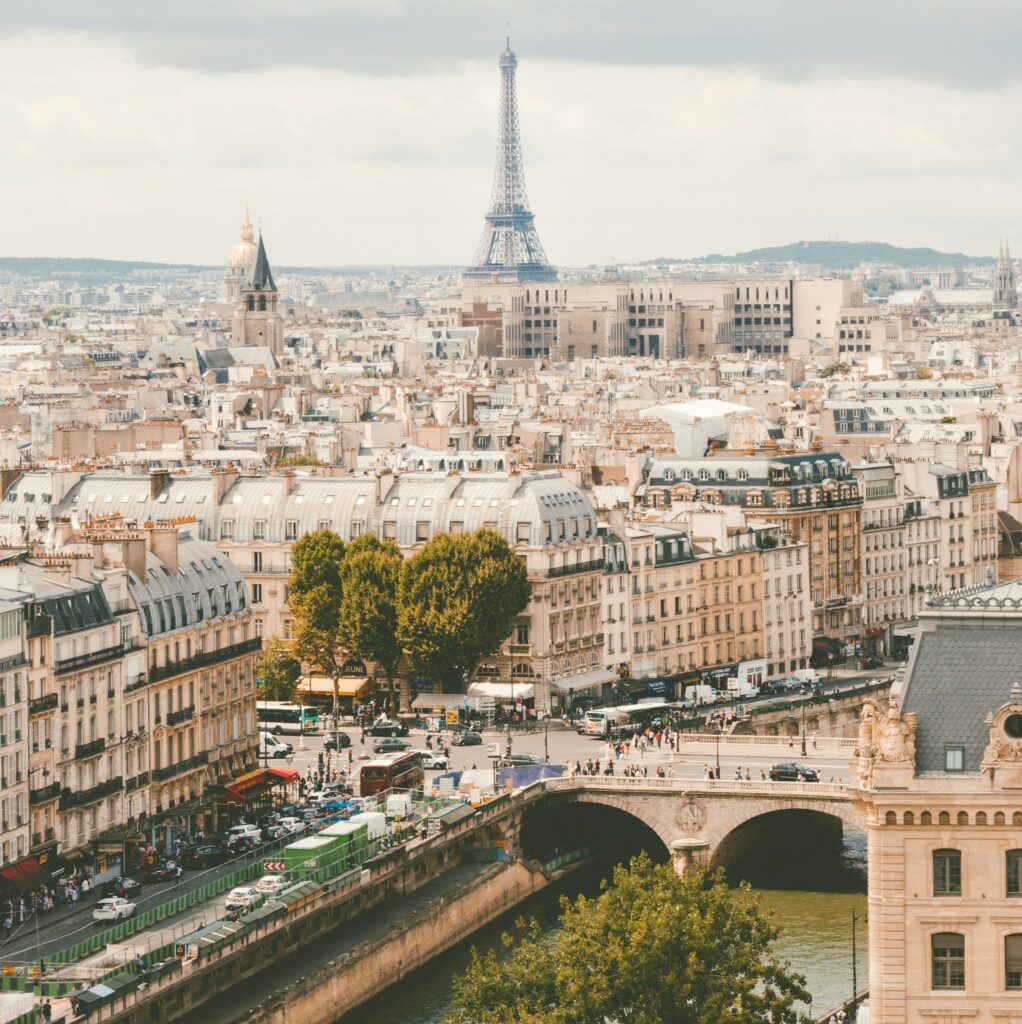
(510, 249)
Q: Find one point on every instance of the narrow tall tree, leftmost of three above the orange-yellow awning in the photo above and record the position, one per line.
(315, 595)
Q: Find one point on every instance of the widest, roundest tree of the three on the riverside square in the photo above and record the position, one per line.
(458, 600)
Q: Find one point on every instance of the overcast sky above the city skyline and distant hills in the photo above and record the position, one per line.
(364, 132)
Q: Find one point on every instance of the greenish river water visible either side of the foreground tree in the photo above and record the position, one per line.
(817, 940)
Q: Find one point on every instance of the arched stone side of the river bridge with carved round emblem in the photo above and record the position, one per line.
(709, 822)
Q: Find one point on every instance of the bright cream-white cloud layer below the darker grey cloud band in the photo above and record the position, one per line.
(110, 157)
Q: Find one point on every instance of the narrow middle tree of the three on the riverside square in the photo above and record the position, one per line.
(369, 606)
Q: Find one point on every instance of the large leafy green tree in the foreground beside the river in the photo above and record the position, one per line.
(653, 948)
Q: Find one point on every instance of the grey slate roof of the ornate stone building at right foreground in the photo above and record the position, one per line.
(960, 673)
